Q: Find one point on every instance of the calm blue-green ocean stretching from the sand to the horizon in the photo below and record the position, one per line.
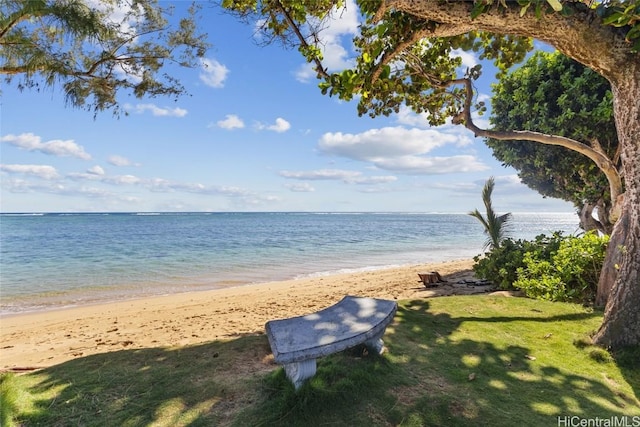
(56, 260)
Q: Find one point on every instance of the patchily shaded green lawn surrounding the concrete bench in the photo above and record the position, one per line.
(464, 361)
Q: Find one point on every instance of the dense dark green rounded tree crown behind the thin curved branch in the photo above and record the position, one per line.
(553, 94)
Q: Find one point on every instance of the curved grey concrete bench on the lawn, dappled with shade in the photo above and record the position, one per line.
(297, 342)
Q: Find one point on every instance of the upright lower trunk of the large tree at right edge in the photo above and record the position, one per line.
(621, 324)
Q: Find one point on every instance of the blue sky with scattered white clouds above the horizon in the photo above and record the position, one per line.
(254, 133)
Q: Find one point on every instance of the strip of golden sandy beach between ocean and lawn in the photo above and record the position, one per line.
(36, 340)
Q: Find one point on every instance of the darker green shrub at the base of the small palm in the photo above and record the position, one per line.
(501, 264)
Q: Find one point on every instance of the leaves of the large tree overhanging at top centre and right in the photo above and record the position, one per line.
(397, 64)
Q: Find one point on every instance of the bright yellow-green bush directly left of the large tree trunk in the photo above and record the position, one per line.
(571, 274)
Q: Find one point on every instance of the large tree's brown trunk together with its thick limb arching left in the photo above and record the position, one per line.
(583, 37)
